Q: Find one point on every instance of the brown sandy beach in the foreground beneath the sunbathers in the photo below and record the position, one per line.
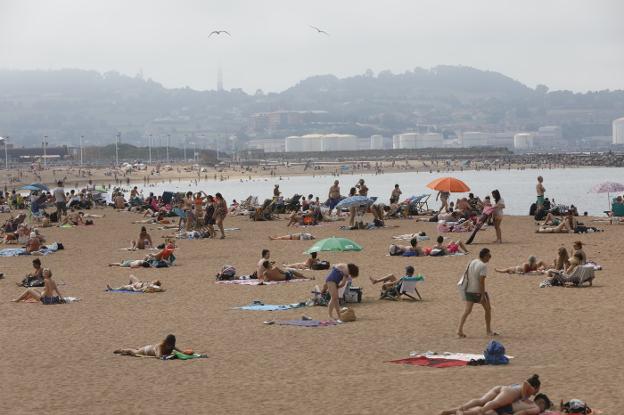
(60, 361)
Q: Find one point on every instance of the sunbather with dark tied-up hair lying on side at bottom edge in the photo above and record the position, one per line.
(500, 399)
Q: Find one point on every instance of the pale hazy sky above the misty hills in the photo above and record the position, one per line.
(565, 44)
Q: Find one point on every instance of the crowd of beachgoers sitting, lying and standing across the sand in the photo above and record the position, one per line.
(198, 215)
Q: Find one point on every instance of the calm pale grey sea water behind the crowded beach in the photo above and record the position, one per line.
(517, 187)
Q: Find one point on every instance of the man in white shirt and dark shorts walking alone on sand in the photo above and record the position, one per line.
(473, 290)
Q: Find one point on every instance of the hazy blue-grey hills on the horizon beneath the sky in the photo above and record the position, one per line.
(65, 104)
